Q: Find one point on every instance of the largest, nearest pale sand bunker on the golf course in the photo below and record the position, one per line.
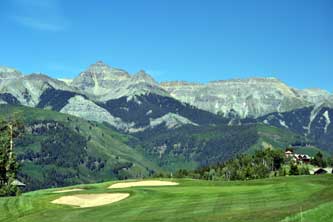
(90, 200)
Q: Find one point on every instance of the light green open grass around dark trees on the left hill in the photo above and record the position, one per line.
(105, 143)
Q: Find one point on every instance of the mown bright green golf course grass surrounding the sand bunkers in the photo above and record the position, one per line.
(275, 199)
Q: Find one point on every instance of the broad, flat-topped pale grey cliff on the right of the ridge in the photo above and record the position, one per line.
(252, 97)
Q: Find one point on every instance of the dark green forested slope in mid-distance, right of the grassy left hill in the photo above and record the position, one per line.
(190, 146)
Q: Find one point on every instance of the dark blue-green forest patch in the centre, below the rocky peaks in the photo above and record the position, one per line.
(144, 111)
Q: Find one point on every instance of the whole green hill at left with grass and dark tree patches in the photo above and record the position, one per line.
(59, 149)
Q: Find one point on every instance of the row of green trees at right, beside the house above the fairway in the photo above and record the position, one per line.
(262, 164)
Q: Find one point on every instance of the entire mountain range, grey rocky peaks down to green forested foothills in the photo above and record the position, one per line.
(167, 126)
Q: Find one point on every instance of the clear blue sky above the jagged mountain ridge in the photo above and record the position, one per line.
(192, 40)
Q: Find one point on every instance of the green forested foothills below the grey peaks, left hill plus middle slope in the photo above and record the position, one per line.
(58, 149)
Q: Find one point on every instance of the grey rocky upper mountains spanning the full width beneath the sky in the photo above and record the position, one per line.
(100, 83)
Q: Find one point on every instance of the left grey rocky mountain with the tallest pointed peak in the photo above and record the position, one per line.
(87, 97)
